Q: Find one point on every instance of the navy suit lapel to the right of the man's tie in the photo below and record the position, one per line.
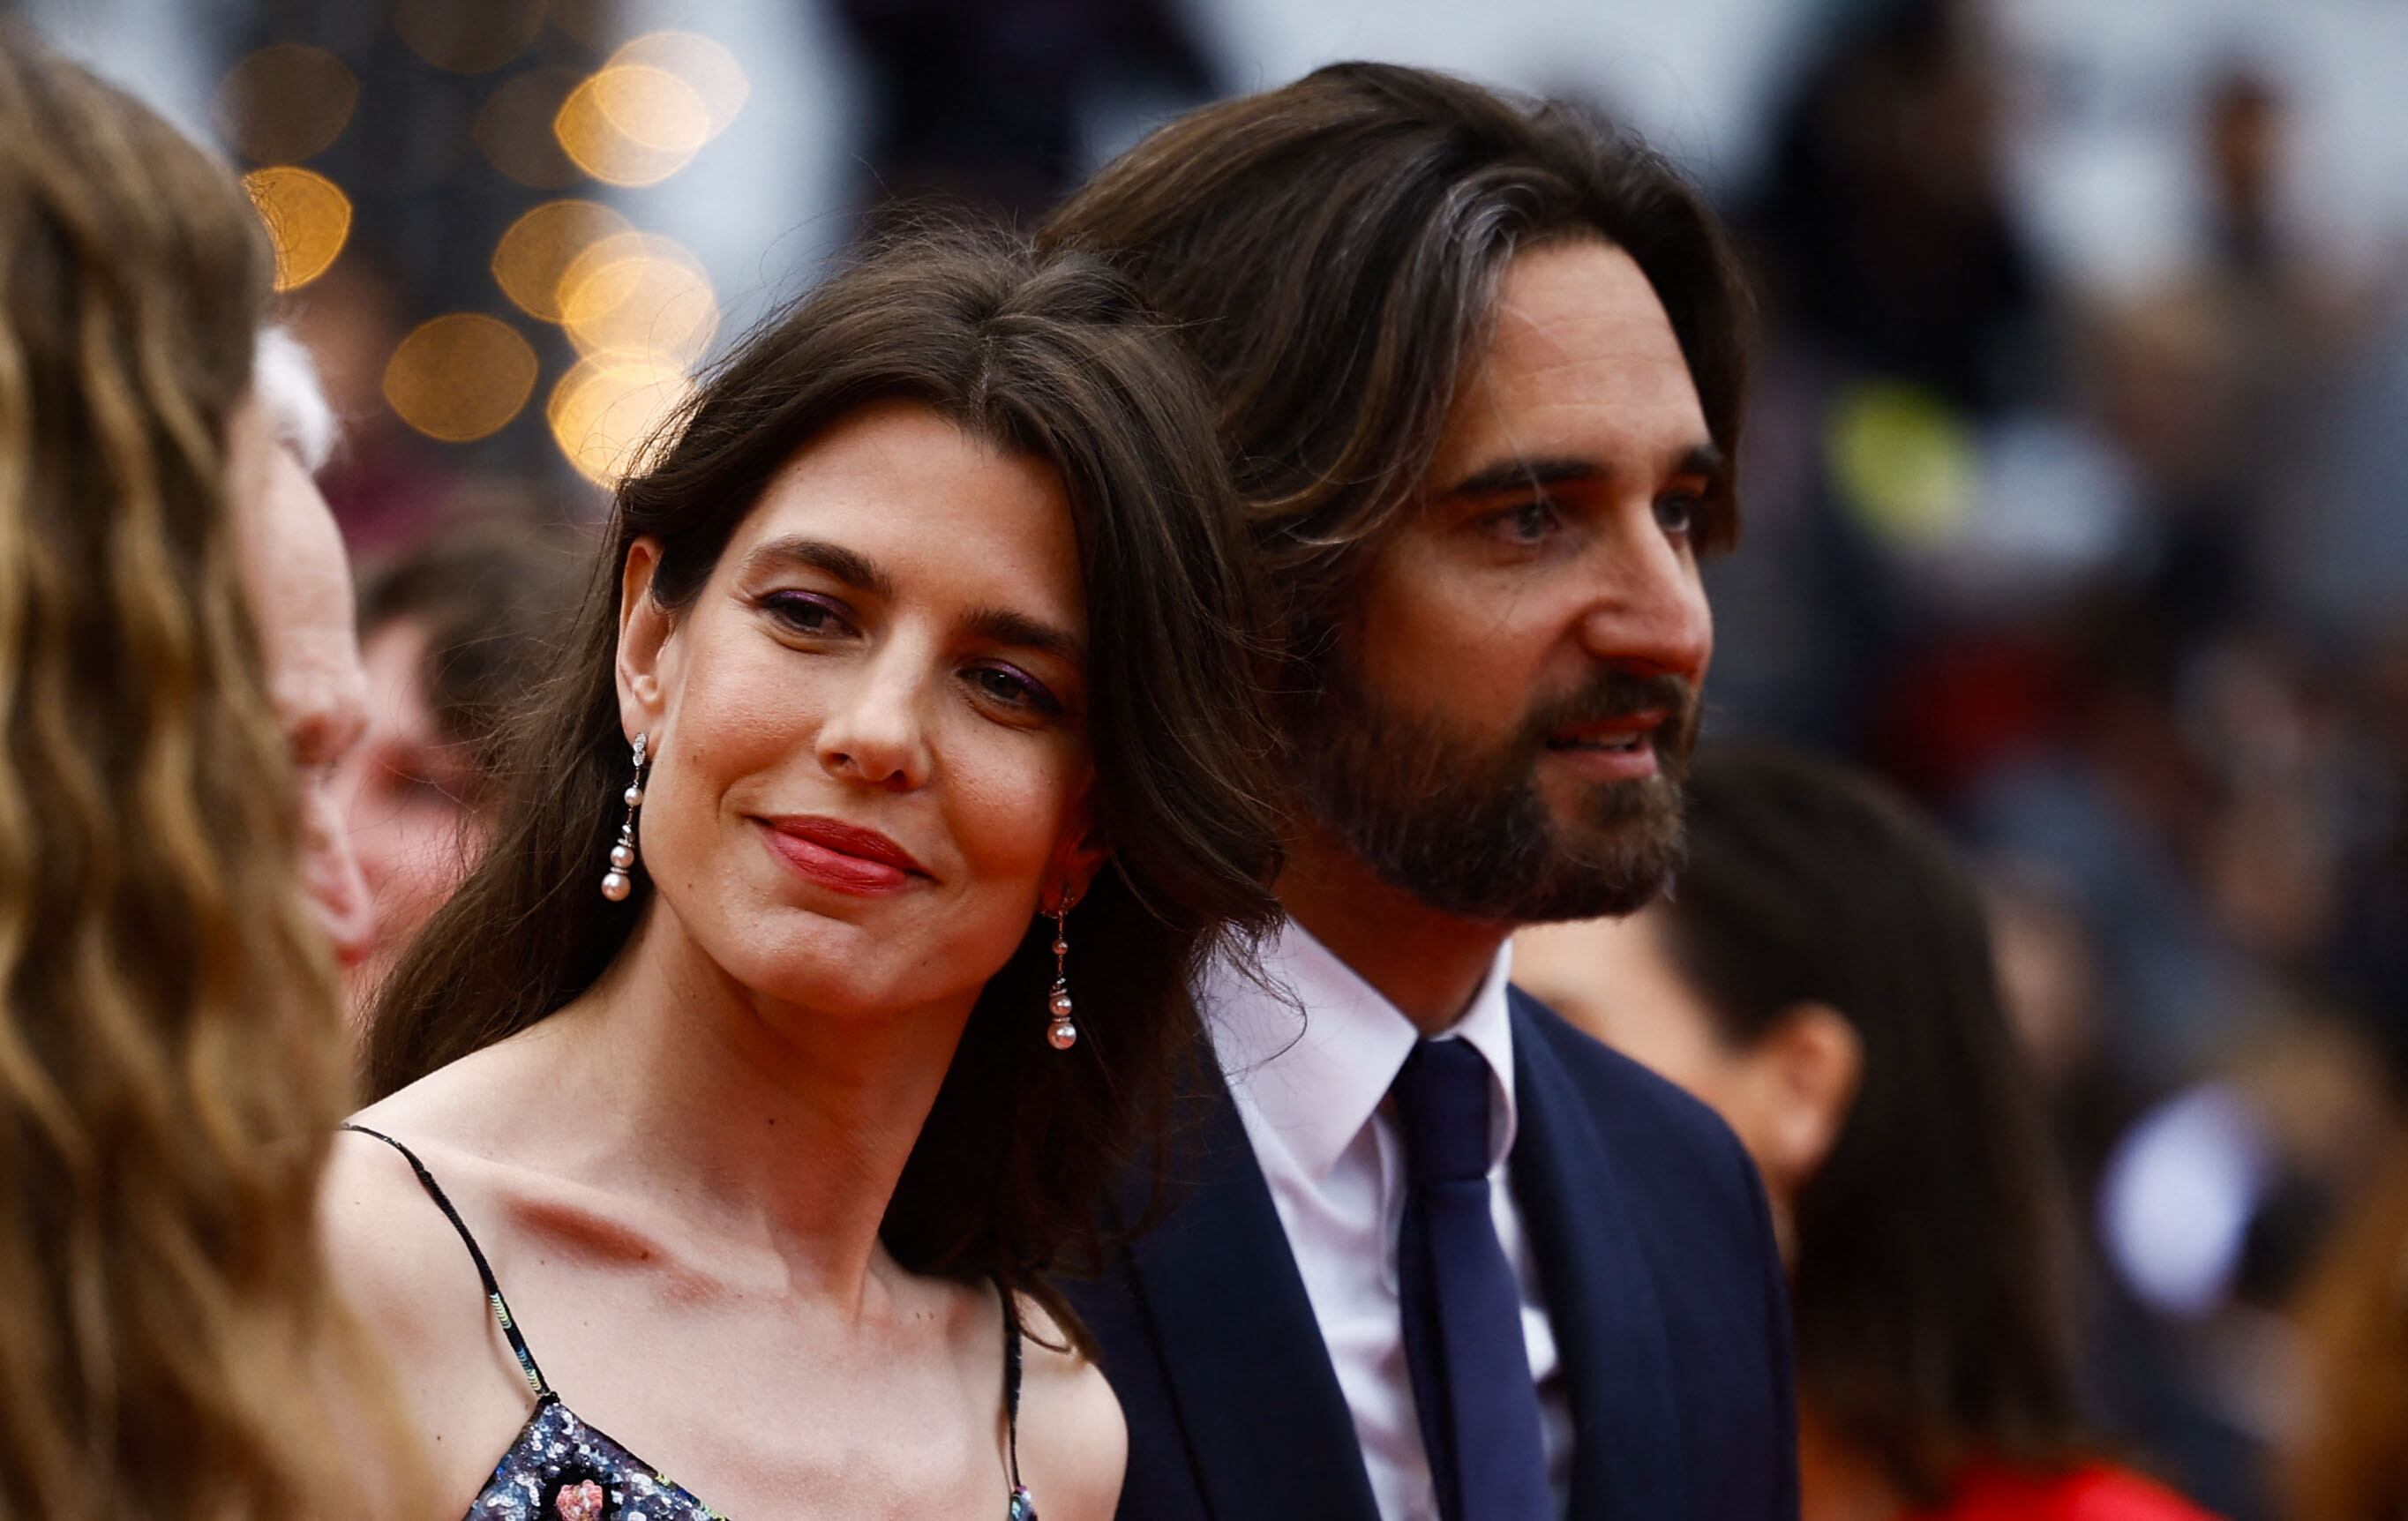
(1600, 1296)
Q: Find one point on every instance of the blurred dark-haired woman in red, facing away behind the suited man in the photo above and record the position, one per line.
(1822, 973)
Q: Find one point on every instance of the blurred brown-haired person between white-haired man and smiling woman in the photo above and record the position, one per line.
(454, 637)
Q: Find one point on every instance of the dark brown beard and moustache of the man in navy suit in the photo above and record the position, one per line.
(1463, 824)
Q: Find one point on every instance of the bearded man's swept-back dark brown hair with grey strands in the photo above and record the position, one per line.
(1333, 249)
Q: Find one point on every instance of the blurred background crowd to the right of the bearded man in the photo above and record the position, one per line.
(2113, 586)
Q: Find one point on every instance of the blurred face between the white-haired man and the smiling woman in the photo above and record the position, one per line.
(406, 798)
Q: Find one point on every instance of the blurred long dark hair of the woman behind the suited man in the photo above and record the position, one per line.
(1932, 1253)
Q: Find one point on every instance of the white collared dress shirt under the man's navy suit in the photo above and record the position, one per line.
(1314, 1096)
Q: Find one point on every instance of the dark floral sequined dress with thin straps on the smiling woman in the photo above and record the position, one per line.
(562, 1469)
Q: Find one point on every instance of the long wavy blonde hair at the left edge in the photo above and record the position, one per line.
(172, 1060)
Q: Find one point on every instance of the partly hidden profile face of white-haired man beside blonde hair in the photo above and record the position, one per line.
(300, 591)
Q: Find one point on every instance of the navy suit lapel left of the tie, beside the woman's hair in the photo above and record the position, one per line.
(1241, 1351)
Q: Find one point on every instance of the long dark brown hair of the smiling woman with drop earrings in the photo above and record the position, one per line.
(1058, 362)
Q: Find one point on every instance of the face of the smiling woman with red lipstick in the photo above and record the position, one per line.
(868, 728)
